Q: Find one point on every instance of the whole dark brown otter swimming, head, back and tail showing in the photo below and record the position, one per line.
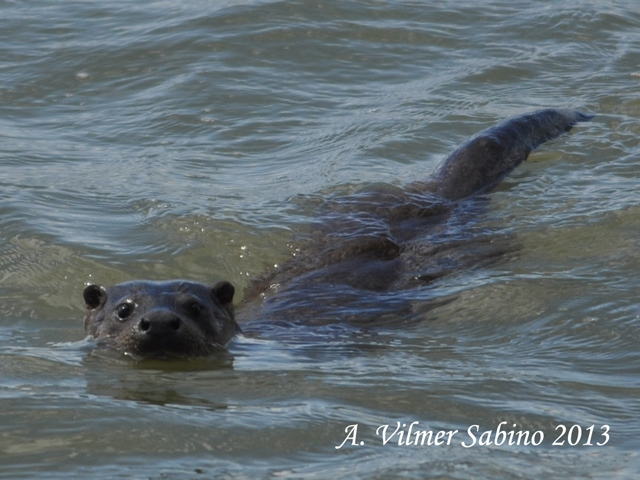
(362, 247)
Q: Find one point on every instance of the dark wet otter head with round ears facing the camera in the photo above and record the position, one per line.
(161, 319)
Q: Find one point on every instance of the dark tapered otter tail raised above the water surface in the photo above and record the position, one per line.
(482, 162)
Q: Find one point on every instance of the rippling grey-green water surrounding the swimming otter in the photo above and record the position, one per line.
(158, 140)
